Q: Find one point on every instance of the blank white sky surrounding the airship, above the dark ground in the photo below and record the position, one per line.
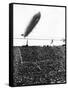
(50, 26)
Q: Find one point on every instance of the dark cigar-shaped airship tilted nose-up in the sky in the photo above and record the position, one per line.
(35, 19)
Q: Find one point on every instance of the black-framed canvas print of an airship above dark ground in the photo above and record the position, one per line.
(37, 44)
